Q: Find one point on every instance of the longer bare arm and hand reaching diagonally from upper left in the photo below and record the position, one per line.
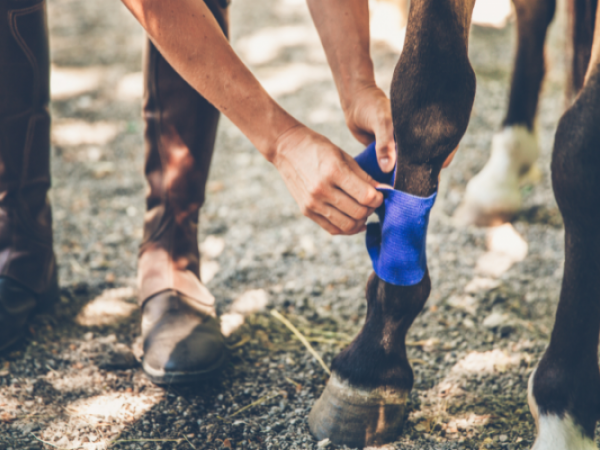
(327, 184)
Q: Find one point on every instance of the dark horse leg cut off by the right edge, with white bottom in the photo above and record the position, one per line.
(564, 391)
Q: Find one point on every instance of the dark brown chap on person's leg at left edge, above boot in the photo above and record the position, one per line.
(27, 264)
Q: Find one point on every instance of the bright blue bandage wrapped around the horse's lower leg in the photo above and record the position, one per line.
(396, 244)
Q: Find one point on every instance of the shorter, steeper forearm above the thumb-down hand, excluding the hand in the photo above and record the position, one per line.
(343, 26)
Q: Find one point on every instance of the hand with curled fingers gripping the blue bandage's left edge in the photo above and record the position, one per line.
(328, 185)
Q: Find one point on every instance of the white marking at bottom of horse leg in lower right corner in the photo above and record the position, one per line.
(555, 432)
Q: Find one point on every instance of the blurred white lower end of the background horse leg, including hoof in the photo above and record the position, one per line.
(493, 196)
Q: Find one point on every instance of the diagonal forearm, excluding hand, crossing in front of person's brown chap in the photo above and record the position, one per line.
(189, 37)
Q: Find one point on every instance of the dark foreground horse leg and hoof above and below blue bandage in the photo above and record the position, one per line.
(432, 95)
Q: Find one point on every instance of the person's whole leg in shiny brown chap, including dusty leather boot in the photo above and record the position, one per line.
(181, 336)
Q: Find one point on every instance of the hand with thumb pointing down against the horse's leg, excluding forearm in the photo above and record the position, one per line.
(369, 117)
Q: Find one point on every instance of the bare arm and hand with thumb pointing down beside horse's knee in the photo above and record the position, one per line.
(343, 26)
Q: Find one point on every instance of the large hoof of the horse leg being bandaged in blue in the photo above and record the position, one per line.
(356, 417)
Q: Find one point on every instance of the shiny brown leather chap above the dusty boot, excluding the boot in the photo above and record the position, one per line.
(179, 138)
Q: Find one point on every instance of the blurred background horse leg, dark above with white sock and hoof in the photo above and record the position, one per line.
(493, 196)
